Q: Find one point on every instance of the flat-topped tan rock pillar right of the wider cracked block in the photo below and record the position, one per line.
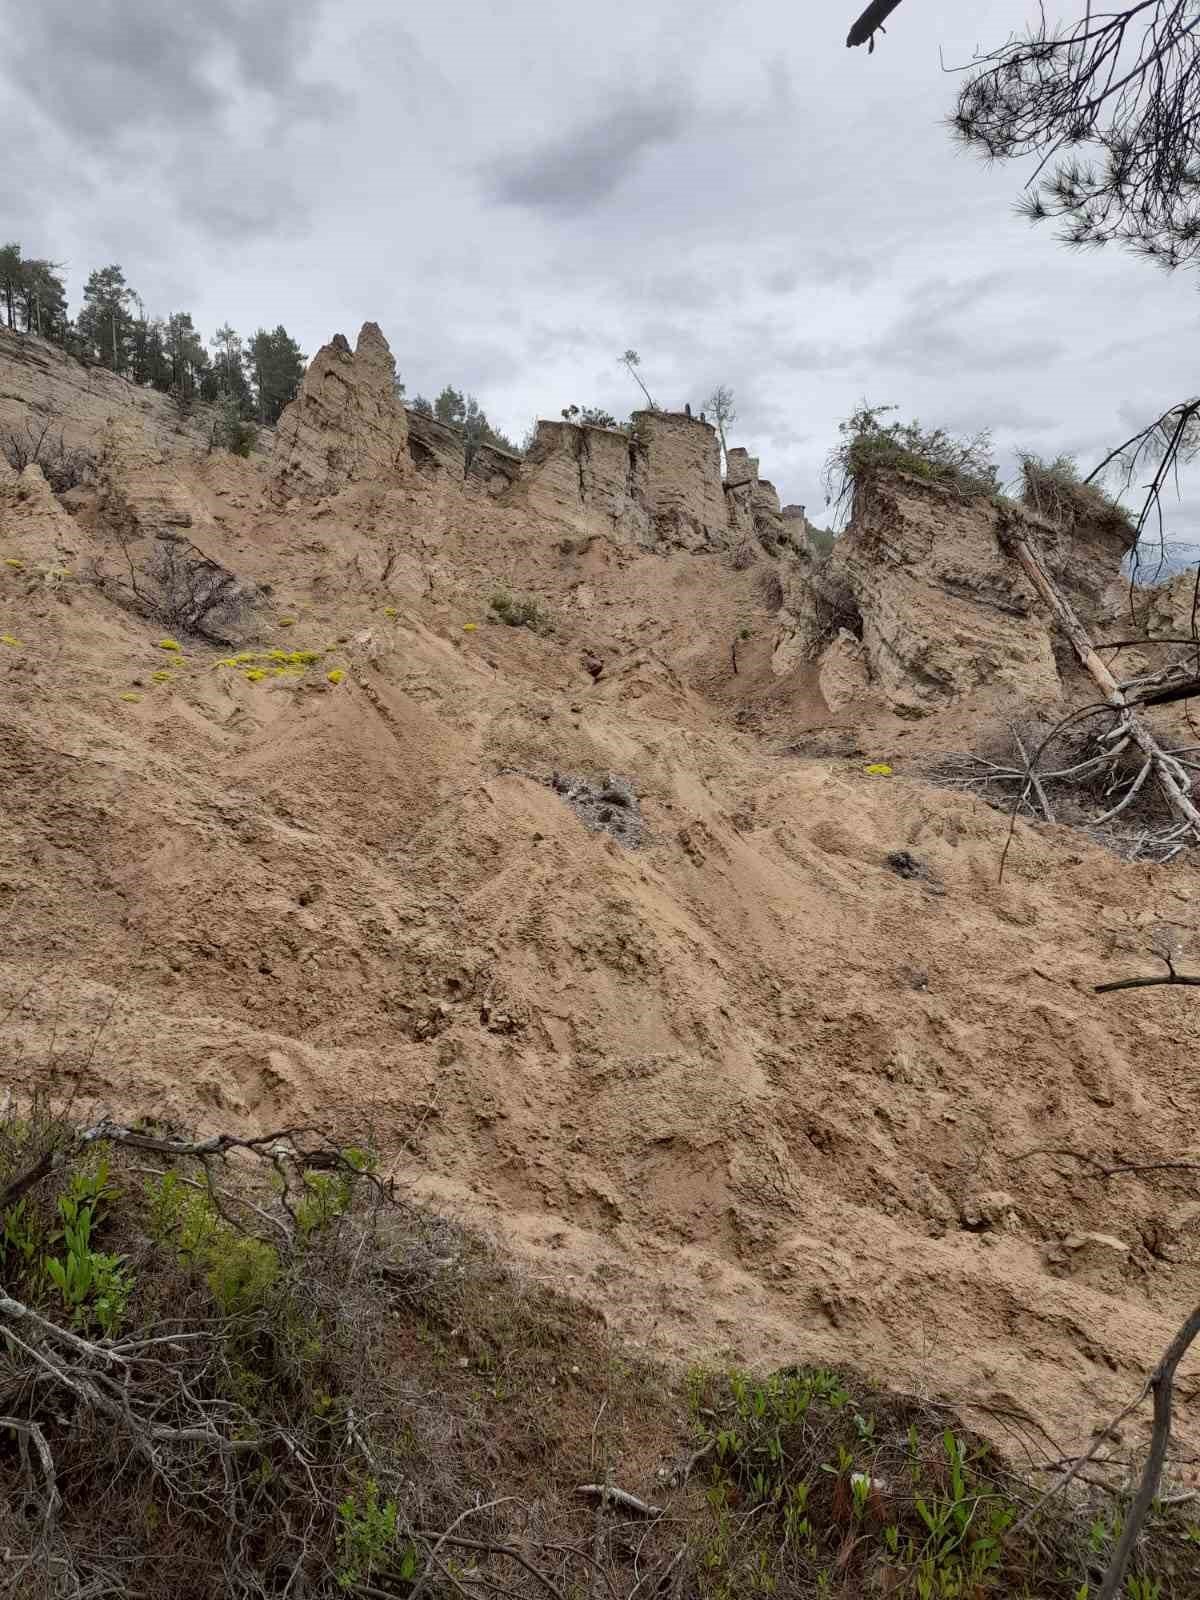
(684, 481)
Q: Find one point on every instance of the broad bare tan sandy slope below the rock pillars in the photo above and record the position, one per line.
(740, 1089)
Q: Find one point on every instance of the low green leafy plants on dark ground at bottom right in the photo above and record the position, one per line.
(817, 1481)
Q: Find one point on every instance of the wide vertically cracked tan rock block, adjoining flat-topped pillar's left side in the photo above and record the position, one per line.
(593, 479)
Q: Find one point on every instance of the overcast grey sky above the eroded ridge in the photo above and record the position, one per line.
(518, 193)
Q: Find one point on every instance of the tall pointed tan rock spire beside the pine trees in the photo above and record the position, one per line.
(346, 425)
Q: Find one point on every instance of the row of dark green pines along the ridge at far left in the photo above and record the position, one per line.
(257, 377)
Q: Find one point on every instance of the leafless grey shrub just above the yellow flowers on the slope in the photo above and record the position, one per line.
(182, 588)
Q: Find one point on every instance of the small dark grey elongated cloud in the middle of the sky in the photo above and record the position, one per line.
(586, 164)
